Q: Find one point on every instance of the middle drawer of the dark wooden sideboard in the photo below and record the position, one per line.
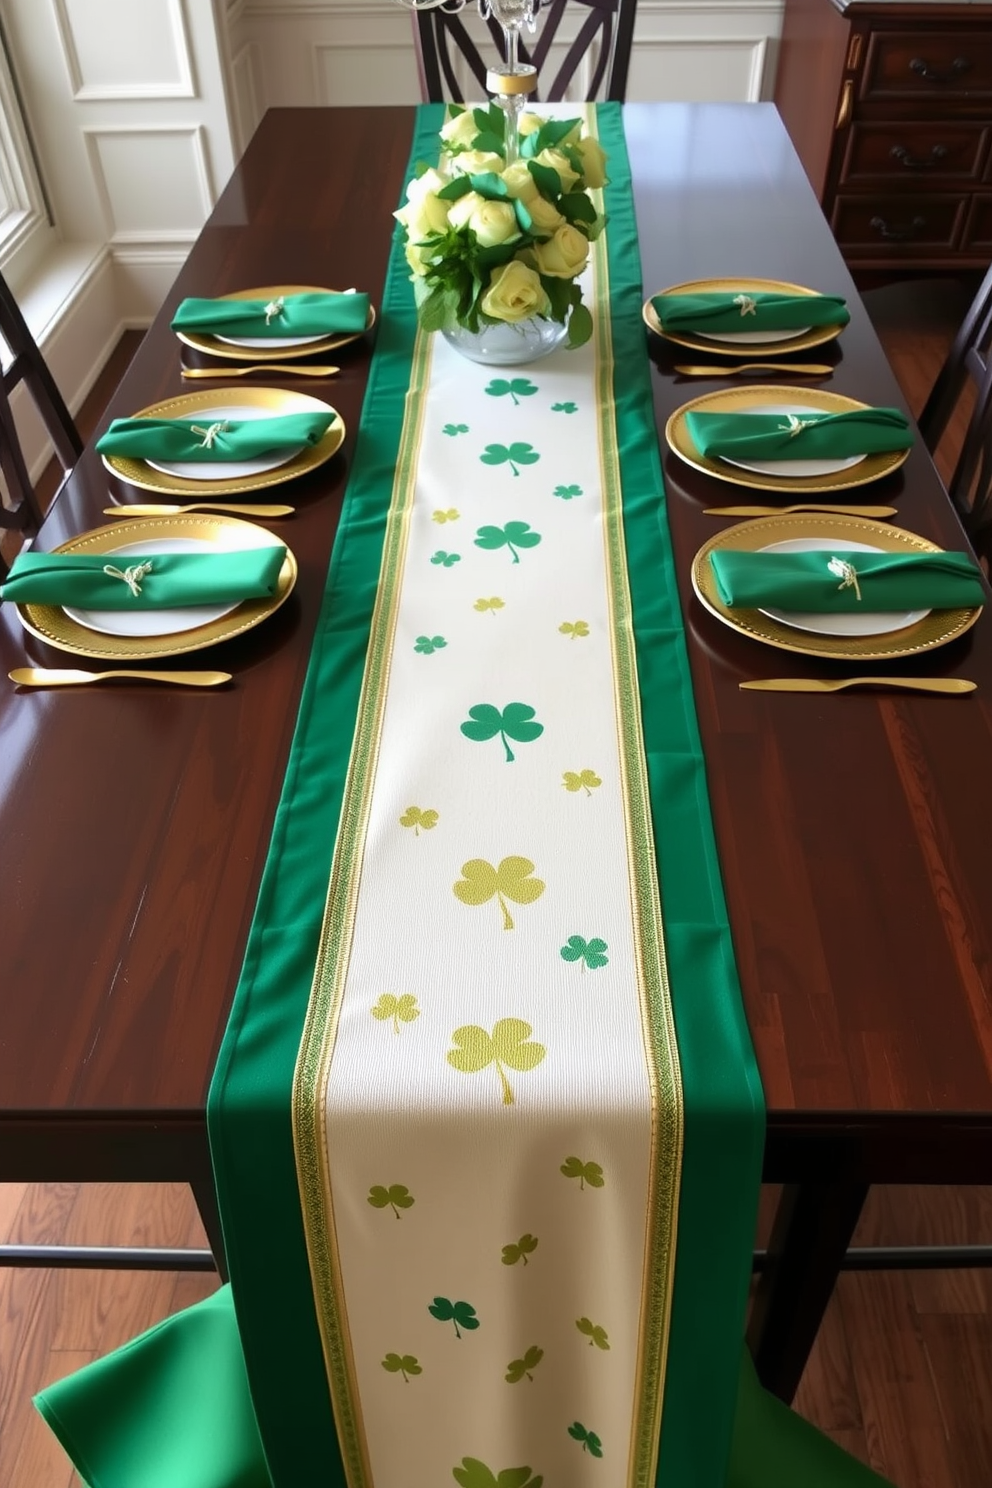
(906, 153)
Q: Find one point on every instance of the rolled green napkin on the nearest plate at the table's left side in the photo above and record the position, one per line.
(138, 581)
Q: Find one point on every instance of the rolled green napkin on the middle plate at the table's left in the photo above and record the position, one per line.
(212, 440)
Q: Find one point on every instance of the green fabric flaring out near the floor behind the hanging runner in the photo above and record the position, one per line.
(172, 1410)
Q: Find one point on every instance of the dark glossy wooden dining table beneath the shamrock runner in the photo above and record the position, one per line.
(135, 822)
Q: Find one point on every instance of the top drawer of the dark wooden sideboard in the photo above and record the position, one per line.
(926, 65)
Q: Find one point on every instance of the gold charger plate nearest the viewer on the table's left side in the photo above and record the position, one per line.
(51, 624)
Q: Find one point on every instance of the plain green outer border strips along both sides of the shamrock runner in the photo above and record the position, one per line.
(251, 1091)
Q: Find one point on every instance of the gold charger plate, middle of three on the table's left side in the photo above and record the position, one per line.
(188, 405)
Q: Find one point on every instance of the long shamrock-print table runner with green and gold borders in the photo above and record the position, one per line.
(685, 1338)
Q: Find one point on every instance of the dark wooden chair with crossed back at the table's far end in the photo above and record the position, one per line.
(605, 36)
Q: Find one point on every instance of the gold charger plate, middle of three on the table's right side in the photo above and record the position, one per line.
(749, 400)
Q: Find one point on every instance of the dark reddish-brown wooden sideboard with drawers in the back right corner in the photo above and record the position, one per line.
(890, 108)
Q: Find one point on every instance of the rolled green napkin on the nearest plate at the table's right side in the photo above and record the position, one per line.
(823, 583)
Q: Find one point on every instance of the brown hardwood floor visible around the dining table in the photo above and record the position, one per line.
(902, 1371)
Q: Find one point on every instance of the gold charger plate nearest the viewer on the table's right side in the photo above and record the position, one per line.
(933, 630)
